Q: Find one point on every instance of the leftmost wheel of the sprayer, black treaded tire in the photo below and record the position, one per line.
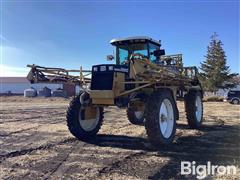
(78, 124)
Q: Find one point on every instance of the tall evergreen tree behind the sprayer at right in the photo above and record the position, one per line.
(214, 70)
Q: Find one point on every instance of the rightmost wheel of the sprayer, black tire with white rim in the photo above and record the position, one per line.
(194, 109)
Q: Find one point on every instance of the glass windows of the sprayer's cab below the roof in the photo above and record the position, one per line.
(124, 51)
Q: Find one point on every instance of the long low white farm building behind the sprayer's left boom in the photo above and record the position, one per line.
(17, 85)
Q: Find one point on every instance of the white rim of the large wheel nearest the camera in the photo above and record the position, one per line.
(166, 116)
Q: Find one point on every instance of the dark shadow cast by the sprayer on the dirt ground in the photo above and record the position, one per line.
(218, 144)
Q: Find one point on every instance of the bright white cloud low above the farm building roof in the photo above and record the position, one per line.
(13, 71)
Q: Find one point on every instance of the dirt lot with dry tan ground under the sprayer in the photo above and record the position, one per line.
(35, 144)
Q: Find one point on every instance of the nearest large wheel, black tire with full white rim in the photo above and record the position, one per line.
(160, 121)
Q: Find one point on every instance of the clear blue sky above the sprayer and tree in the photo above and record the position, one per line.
(70, 34)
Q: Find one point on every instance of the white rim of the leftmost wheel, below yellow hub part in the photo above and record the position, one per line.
(88, 124)
